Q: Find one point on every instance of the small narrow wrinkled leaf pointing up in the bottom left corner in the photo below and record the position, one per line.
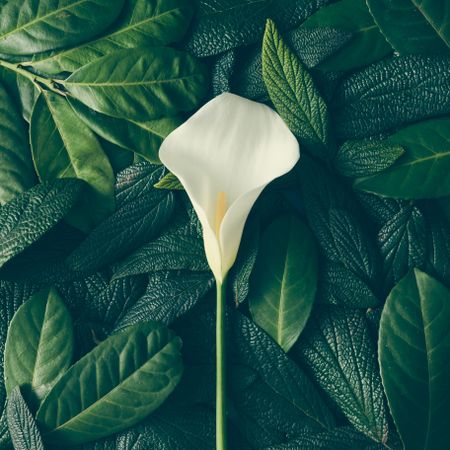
(22, 427)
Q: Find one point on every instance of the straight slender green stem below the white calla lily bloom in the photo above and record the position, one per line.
(221, 404)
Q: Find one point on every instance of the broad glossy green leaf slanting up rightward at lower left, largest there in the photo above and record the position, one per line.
(132, 373)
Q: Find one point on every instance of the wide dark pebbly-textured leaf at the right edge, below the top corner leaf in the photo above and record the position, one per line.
(410, 88)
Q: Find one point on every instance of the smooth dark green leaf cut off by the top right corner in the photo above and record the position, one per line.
(413, 26)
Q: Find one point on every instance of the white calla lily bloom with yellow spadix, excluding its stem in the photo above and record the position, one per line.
(224, 156)
